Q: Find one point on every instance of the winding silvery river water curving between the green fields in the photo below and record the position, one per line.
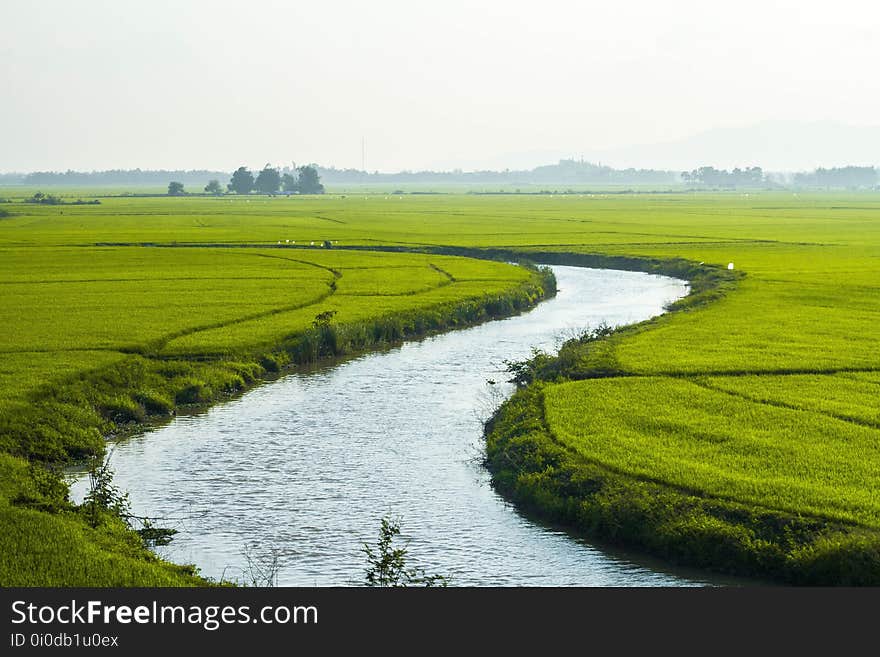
(306, 466)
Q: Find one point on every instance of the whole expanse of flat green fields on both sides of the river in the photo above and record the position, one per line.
(760, 407)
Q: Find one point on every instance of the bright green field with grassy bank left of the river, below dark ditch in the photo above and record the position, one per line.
(100, 340)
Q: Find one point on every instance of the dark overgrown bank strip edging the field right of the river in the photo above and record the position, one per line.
(531, 468)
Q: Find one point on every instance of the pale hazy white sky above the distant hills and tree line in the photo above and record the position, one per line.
(90, 84)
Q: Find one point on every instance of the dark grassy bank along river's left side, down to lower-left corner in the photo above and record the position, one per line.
(73, 420)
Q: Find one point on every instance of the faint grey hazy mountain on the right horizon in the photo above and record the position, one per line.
(773, 145)
